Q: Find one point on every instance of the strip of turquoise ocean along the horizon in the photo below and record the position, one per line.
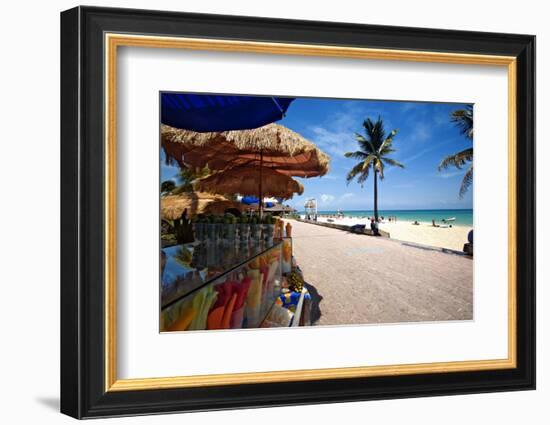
(464, 217)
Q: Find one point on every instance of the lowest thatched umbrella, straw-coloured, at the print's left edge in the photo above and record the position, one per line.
(173, 206)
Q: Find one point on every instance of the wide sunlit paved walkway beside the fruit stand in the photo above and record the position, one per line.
(364, 279)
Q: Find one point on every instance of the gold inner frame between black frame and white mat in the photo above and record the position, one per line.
(113, 41)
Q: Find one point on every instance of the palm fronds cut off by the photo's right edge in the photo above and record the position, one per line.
(464, 120)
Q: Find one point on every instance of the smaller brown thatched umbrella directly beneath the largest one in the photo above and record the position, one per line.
(244, 180)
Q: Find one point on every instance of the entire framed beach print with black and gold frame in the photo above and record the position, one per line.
(261, 212)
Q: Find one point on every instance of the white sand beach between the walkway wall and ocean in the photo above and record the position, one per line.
(424, 233)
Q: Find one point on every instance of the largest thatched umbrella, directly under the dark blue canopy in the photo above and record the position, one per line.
(271, 146)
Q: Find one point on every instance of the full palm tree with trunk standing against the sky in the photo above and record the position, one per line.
(374, 148)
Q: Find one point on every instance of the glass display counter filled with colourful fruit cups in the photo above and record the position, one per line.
(221, 284)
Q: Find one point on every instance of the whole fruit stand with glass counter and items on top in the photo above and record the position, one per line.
(232, 276)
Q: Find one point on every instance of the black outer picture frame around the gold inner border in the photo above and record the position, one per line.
(82, 212)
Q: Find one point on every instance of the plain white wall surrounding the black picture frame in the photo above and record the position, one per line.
(29, 216)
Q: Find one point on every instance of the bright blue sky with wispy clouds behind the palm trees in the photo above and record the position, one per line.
(425, 135)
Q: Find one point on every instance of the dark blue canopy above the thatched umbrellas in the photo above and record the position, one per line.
(203, 113)
